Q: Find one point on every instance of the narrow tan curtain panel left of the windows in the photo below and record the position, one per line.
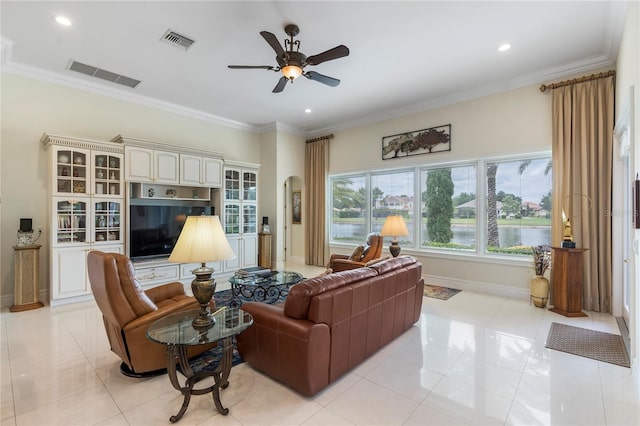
(316, 170)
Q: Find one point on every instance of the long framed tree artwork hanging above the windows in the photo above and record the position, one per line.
(417, 142)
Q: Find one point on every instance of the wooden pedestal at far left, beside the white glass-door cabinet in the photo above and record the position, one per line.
(27, 278)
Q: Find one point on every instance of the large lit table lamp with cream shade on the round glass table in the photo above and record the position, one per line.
(202, 240)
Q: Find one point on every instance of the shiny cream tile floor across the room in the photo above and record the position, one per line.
(474, 359)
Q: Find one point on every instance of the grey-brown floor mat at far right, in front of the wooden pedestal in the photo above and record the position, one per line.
(605, 347)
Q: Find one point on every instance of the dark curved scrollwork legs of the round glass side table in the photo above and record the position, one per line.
(220, 375)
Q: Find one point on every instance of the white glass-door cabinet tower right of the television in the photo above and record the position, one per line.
(240, 214)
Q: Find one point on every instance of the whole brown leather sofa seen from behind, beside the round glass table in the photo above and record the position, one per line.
(331, 323)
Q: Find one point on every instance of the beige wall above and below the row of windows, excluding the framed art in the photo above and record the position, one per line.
(514, 122)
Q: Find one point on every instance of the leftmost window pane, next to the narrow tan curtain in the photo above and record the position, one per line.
(348, 209)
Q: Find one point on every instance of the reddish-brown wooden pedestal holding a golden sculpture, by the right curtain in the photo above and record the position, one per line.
(566, 281)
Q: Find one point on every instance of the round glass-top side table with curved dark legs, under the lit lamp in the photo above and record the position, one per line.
(176, 332)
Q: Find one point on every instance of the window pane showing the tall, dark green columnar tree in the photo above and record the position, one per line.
(448, 207)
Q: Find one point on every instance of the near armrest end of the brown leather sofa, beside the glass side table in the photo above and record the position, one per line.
(295, 352)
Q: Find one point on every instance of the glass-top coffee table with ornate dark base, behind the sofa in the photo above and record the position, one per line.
(268, 289)
